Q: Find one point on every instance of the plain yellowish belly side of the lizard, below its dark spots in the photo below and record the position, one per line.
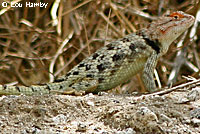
(123, 74)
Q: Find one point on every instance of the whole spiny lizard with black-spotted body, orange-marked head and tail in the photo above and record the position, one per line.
(116, 62)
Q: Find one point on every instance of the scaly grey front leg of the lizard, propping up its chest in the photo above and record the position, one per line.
(147, 74)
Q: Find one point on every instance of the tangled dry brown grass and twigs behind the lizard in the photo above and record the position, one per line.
(33, 50)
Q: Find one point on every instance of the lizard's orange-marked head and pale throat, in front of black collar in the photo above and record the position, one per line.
(169, 27)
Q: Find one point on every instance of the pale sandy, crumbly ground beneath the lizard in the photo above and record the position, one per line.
(172, 113)
